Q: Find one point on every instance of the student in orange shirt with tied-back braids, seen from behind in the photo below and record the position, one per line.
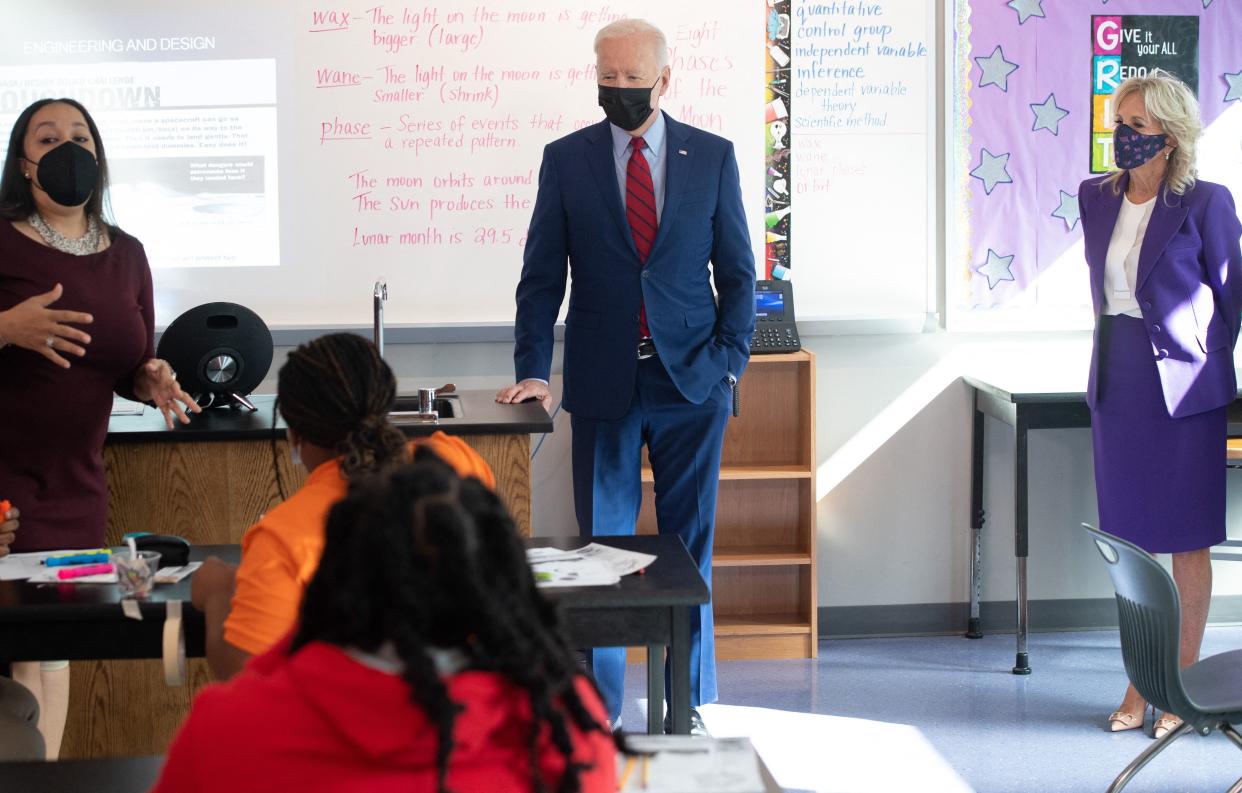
(335, 395)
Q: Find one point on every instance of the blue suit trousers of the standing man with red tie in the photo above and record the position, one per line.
(684, 447)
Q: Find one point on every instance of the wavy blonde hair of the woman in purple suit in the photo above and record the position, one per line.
(1173, 104)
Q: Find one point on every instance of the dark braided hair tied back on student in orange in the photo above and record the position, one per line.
(337, 392)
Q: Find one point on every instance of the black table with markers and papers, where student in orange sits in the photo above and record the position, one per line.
(85, 622)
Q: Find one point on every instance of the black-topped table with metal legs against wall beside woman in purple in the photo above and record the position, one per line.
(1034, 398)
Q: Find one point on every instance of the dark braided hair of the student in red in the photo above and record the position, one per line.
(420, 559)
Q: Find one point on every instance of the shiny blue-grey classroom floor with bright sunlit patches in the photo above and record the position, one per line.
(946, 714)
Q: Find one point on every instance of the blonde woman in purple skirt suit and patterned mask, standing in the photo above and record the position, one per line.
(1167, 286)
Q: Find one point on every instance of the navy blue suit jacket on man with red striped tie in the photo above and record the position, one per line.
(579, 231)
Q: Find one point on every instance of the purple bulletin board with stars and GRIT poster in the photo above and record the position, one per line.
(1025, 126)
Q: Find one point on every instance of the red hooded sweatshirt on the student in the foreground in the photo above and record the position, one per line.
(321, 722)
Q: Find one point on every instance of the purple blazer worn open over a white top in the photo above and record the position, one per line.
(1189, 288)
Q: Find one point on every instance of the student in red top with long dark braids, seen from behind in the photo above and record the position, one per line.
(425, 659)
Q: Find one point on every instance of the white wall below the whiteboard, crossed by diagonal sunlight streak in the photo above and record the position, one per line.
(894, 442)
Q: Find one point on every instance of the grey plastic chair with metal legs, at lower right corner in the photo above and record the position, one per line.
(1207, 695)
